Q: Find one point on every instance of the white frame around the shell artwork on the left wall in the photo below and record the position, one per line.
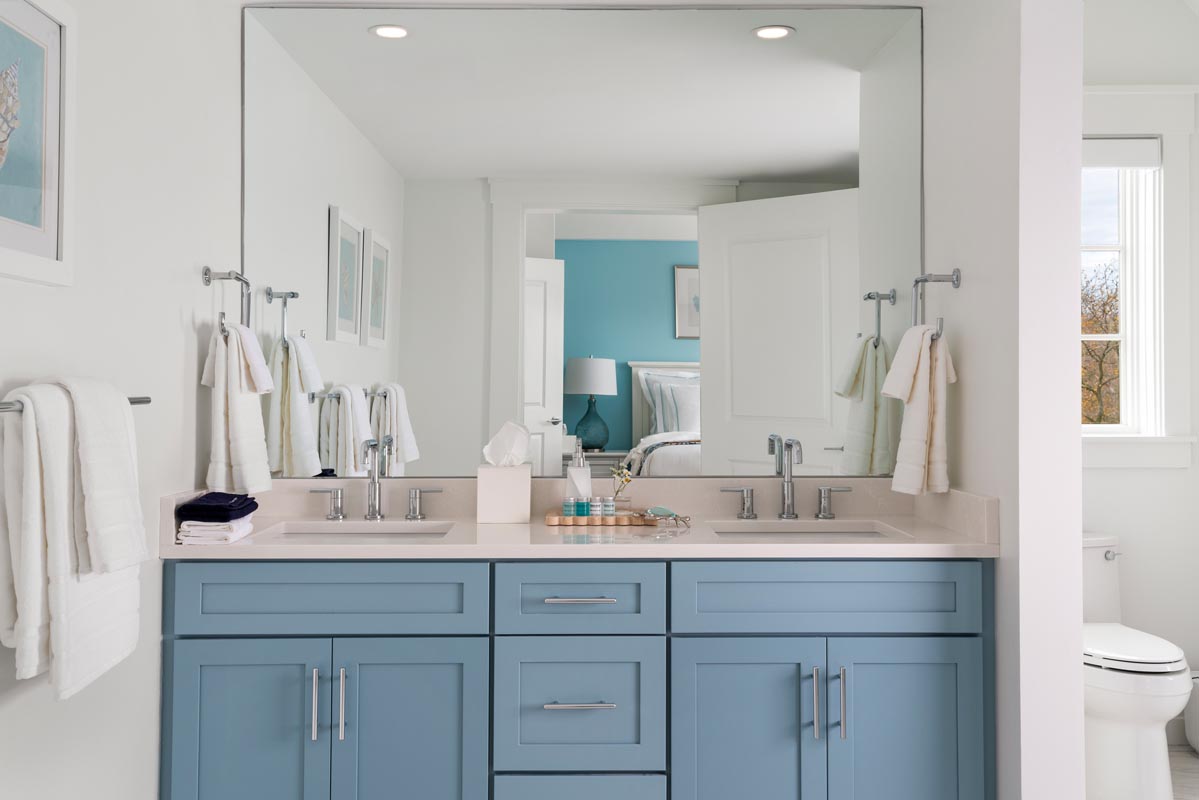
(38, 269)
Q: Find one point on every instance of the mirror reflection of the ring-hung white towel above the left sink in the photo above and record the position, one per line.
(291, 435)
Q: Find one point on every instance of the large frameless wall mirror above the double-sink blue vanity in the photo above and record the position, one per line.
(668, 234)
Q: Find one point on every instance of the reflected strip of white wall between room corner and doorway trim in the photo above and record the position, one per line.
(443, 321)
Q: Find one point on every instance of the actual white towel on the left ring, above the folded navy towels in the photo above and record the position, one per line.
(238, 462)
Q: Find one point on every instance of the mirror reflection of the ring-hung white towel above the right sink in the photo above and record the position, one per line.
(869, 435)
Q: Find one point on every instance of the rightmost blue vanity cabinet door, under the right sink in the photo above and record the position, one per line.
(913, 727)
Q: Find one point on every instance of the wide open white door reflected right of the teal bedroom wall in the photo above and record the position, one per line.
(780, 314)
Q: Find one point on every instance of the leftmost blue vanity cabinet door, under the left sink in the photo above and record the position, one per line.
(240, 723)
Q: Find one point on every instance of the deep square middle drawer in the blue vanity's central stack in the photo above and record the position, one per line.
(619, 683)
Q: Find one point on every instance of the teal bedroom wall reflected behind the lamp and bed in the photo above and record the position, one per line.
(619, 305)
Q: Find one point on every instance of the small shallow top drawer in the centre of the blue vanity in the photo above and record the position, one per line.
(581, 599)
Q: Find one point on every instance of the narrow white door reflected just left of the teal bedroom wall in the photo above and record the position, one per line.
(545, 285)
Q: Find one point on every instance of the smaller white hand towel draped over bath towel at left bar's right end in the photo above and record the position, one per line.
(107, 459)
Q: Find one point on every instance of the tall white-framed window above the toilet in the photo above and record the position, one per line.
(1120, 327)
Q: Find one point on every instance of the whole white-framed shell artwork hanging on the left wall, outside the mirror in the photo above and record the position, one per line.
(38, 51)
